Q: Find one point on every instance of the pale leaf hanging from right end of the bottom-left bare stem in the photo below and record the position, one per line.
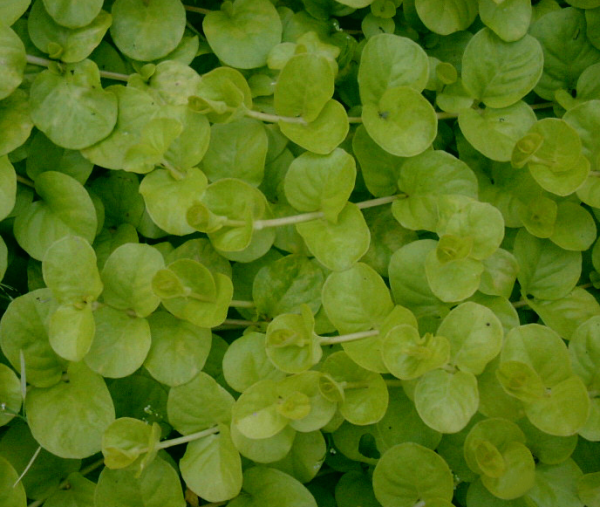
(212, 468)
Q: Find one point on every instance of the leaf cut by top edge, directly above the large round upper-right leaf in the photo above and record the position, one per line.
(509, 19)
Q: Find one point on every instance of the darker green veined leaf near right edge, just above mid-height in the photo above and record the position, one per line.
(546, 270)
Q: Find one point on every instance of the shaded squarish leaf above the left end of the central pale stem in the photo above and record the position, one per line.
(237, 150)
